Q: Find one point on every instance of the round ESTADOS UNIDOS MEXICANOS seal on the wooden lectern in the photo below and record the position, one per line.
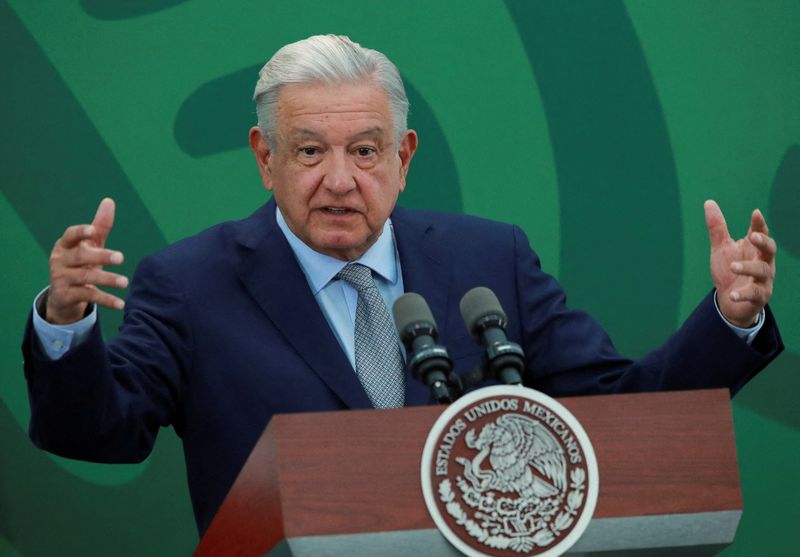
(509, 471)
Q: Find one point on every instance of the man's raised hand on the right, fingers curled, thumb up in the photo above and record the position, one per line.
(743, 270)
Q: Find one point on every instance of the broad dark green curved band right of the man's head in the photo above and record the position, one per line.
(615, 167)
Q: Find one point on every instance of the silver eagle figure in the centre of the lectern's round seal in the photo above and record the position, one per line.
(525, 458)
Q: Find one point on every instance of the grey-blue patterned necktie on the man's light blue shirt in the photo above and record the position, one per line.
(379, 364)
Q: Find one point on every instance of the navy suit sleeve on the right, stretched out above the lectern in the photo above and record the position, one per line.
(568, 353)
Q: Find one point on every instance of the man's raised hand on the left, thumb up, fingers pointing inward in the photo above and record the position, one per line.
(76, 269)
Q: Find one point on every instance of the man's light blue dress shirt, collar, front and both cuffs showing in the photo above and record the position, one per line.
(336, 298)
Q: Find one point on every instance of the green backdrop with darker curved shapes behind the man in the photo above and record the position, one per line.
(598, 126)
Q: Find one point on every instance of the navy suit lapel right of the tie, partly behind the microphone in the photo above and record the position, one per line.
(426, 271)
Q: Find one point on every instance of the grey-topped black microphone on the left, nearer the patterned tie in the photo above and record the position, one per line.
(429, 362)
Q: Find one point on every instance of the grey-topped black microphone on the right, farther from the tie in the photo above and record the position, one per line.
(486, 321)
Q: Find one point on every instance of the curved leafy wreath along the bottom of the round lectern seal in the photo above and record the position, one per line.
(541, 538)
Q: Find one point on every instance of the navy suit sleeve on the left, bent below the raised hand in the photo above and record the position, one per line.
(105, 402)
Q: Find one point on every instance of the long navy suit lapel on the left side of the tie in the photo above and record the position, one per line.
(270, 272)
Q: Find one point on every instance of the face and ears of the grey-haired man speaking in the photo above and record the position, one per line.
(335, 169)
